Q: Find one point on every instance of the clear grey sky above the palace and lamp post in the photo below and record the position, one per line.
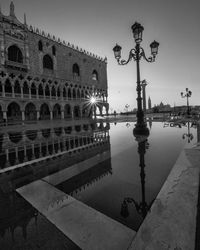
(97, 25)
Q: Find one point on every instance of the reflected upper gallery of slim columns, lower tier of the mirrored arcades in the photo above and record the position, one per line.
(17, 155)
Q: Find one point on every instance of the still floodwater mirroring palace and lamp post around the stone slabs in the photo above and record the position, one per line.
(99, 164)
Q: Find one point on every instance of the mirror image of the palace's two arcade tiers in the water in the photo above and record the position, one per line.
(18, 147)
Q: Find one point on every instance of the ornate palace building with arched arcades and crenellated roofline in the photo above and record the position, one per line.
(43, 77)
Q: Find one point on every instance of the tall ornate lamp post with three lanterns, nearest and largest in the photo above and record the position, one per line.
(136, 54)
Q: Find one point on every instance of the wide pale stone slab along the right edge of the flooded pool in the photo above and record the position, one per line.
(171, 223)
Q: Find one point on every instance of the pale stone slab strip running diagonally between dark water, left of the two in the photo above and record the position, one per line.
(86, 227)
